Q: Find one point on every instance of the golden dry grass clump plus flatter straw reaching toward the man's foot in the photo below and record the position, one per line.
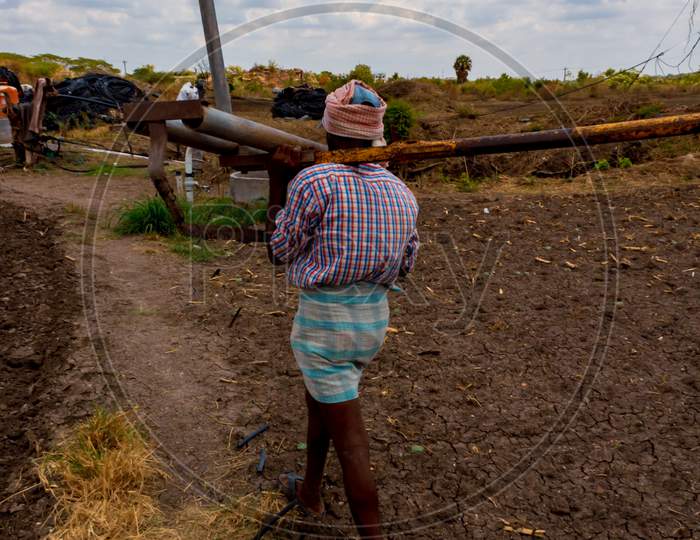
(106, 480)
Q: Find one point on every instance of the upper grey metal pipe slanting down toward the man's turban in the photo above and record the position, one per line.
(246, 132)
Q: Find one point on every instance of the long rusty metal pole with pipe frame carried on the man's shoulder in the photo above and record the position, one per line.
(212, 130)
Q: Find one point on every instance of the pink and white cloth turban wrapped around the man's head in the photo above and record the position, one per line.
(354, 120)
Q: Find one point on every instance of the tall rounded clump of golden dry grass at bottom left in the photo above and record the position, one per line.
(103, 478)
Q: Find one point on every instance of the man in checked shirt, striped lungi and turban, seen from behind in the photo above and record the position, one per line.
(346, 233)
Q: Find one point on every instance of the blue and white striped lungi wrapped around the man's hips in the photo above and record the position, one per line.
(337, 332)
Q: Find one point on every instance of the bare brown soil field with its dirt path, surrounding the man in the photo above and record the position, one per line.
(542, 372)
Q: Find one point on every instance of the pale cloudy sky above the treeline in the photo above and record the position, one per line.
(543, 35)
